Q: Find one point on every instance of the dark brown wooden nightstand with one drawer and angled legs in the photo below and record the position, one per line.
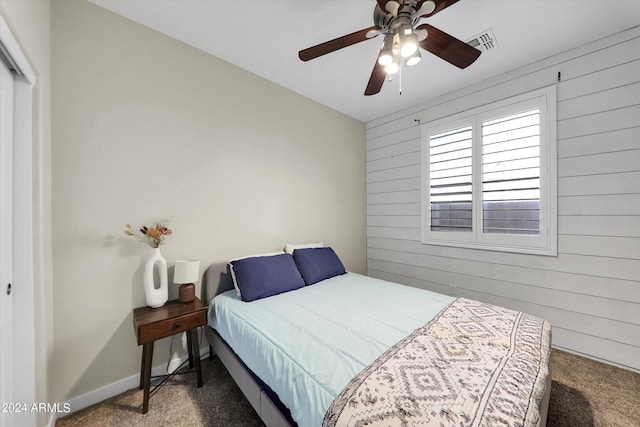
(174, 317)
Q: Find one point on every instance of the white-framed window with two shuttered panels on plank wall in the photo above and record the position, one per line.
(490, 176)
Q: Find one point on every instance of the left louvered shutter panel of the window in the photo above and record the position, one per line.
(450, 180)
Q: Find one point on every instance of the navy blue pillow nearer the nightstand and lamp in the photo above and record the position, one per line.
(264, 276)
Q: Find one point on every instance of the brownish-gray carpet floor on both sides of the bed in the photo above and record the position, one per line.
(583, 393)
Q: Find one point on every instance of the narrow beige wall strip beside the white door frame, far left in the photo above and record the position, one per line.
(29, 22)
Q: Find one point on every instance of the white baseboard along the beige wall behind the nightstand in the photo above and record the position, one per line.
(98, 395)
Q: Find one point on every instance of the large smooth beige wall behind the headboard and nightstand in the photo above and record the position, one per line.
(145, 127)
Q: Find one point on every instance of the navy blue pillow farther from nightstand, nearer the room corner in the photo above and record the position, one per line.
(316, 264)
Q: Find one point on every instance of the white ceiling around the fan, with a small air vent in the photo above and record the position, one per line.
(264, 37)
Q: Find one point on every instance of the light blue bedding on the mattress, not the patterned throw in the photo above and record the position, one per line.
(309, 343)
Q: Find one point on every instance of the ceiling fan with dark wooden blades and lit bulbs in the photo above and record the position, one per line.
(397, 20)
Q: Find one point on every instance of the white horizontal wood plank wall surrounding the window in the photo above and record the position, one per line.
(590, 292)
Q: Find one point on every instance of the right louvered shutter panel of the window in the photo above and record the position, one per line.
(511, 174)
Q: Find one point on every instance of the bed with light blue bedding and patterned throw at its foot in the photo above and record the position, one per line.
(354, 350)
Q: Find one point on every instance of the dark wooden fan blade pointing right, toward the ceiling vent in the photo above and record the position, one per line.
(447, 47)
